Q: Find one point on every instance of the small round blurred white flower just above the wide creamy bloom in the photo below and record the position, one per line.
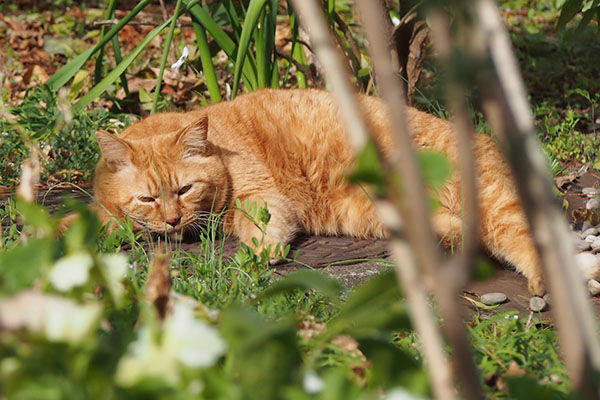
(71, 271)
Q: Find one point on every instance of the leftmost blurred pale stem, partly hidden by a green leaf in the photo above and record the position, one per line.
(311, 17)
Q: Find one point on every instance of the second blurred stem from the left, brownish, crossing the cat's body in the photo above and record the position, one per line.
(414, 207)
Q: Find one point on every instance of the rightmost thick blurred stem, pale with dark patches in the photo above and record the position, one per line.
(509, 114)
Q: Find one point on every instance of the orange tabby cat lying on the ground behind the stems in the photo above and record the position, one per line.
(288, 149)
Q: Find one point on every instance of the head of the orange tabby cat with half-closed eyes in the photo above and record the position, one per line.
(164, 181)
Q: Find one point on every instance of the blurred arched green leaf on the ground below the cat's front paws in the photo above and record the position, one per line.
(304, 280)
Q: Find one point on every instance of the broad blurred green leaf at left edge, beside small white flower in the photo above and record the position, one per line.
(20, 266)
